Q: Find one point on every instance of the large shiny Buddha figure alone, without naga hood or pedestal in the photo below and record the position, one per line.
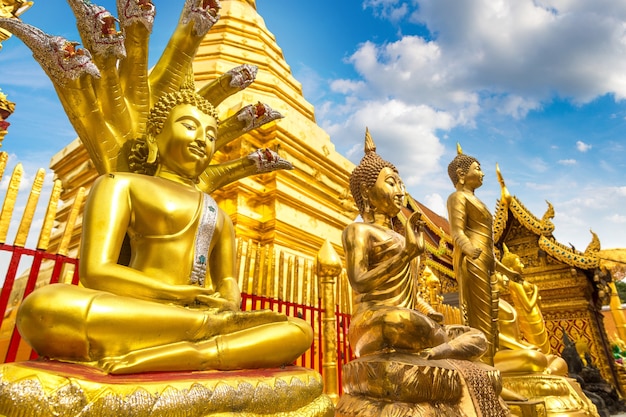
(175, 307)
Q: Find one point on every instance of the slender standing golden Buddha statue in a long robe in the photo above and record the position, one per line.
(474, 261)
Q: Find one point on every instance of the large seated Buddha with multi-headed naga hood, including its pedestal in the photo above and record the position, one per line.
(158, 304)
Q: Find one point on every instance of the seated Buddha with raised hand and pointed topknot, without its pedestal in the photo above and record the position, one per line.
(389, 316)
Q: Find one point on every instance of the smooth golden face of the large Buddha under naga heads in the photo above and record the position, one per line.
(187, 141)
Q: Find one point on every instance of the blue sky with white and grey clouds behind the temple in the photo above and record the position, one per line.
(537, 86)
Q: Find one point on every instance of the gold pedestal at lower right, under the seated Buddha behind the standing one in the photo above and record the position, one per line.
(562, 396)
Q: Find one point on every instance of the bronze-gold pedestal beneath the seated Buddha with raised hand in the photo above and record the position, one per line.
(405, 385)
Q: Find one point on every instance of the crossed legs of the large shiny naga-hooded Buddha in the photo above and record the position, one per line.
(126, 335)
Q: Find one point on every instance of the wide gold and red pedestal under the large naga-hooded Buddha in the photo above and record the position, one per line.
(50, 388)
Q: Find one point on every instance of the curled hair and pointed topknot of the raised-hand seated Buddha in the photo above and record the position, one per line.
(367, 171)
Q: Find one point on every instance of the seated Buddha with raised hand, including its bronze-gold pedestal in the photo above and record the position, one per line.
(408, 363)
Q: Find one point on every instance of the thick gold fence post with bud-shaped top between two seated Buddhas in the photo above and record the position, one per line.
(328, 269)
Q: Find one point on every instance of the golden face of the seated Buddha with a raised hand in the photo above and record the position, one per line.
(387, 194)
